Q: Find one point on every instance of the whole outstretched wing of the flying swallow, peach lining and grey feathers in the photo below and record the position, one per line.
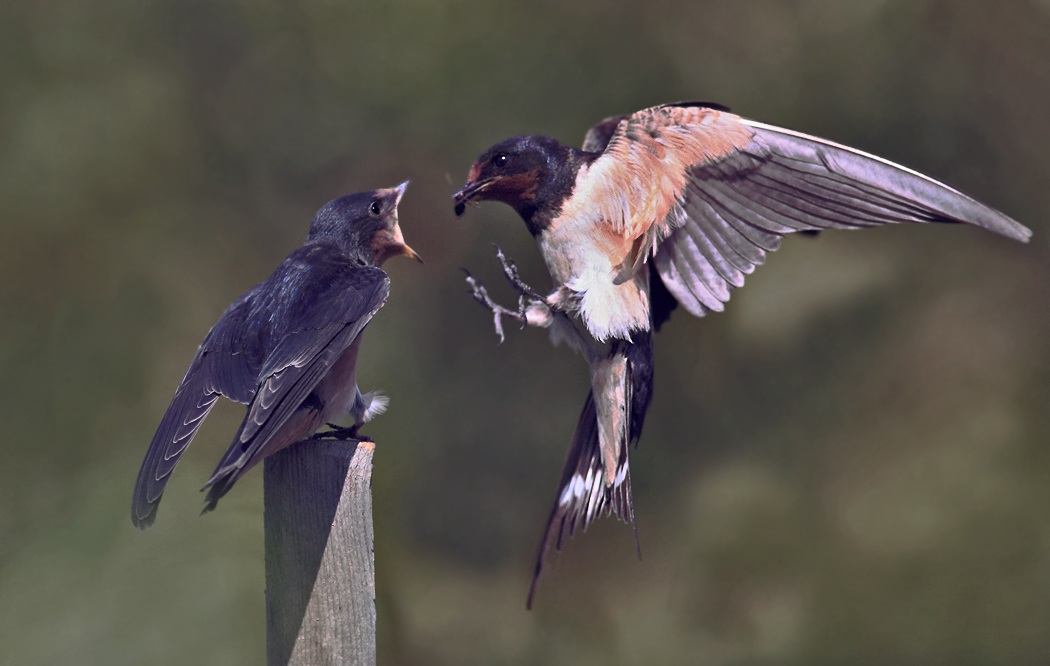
(723, 191)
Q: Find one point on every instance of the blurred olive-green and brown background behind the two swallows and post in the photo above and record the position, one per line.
(849, 467)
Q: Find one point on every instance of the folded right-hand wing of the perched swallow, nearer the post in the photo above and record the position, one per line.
(323, 315)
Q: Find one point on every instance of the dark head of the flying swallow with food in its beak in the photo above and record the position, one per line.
(517, 172)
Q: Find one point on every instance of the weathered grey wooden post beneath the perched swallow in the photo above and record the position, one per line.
(321, 585)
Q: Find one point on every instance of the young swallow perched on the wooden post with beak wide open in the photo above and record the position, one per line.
(287, 349)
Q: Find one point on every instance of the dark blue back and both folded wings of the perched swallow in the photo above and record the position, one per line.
(269, 350)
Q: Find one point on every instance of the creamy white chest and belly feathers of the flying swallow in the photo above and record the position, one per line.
(585, 257)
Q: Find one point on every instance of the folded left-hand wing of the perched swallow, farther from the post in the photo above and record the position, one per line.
(223, 366)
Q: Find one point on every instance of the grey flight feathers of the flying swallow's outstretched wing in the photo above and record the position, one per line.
(736, 204)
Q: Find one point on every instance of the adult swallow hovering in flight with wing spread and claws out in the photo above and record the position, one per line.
(671, 206)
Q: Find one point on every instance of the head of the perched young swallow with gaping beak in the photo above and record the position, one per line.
(366, 225)
